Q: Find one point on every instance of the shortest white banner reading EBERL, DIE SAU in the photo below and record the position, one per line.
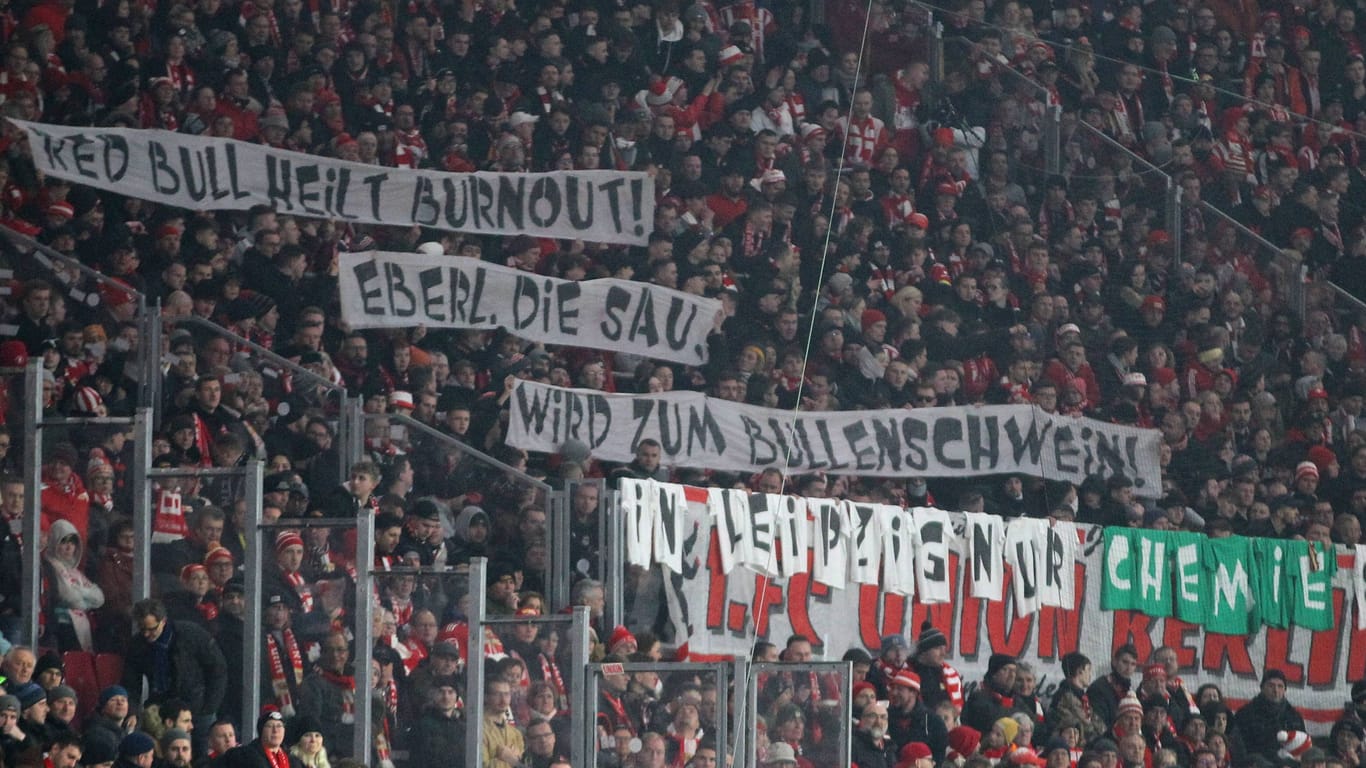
(401, 290)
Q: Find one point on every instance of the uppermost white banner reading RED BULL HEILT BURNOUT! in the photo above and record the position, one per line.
(214, 174)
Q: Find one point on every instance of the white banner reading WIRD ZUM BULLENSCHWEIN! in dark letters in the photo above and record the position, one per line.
(696, 431)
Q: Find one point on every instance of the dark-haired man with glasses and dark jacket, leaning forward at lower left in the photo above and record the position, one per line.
(176, 659)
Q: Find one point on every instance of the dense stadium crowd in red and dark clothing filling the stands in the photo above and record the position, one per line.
(880, 236)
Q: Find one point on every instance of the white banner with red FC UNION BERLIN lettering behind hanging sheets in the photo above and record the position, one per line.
(718, 618)
